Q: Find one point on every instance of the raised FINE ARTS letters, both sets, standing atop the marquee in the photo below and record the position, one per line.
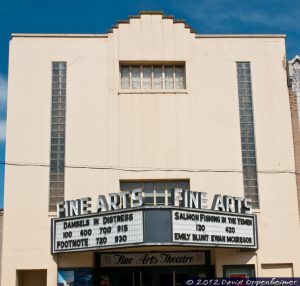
(135, 198)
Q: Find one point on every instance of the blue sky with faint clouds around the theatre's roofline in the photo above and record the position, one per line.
(97, 16)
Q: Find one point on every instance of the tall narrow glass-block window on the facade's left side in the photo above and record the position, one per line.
(57, 149)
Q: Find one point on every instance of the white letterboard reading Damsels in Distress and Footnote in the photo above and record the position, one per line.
(97, 231)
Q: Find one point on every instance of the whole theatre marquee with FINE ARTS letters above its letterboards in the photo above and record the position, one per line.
(122, 220)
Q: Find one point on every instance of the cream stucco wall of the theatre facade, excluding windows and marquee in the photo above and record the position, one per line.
(197, 129)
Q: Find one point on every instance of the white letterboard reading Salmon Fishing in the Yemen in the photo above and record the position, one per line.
(214, 229)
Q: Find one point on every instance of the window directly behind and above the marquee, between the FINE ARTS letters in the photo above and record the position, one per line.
(155, 192)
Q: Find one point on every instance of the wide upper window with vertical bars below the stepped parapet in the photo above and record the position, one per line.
(152, 77)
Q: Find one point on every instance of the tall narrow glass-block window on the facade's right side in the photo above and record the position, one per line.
(247, 132)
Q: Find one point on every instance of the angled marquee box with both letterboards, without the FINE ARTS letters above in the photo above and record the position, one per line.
(154, 226)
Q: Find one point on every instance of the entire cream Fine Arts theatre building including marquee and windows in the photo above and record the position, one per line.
(145, 120)
